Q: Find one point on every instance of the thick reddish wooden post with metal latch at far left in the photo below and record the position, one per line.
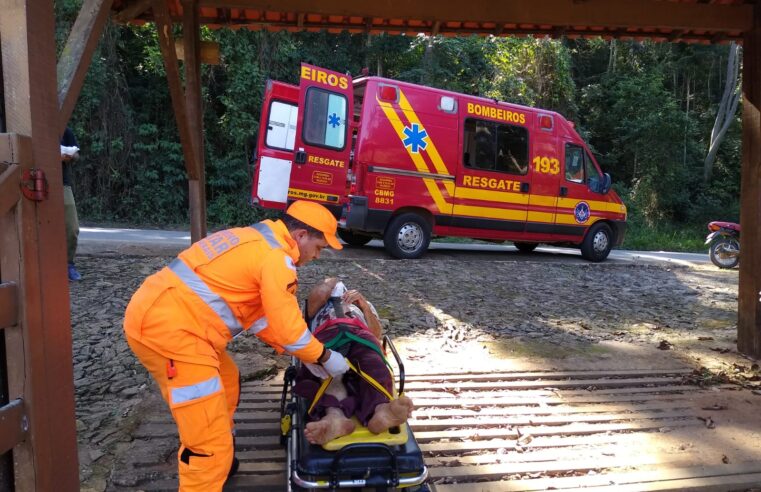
(33, 254)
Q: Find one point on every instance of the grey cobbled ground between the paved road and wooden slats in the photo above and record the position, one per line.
(448, 314)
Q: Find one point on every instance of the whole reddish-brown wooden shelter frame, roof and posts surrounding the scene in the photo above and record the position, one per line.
(36, 383)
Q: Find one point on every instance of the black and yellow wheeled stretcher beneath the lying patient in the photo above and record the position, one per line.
(361, 460)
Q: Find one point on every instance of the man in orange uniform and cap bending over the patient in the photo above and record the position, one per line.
(180, 320)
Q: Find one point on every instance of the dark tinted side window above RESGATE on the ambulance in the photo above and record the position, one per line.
(493, 146)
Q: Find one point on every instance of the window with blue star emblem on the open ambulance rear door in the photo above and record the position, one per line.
(325, 119)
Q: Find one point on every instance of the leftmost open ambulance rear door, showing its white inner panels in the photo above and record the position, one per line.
(275, 145)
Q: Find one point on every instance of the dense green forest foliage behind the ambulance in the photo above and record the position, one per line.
(646, 111)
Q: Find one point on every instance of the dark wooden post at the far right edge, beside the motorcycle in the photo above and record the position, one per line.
(749, 307)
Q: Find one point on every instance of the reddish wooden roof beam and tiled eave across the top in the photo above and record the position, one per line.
(693, 21)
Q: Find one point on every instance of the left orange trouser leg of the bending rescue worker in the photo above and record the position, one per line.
(203, 422)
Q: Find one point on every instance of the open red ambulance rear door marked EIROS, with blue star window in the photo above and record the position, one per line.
(323, 137)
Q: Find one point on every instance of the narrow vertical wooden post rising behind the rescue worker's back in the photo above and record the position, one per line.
(194, 108)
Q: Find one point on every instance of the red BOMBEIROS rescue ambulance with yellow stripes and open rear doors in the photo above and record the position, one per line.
(403, 162)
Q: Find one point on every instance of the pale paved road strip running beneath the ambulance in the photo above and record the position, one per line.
(96, 240)
